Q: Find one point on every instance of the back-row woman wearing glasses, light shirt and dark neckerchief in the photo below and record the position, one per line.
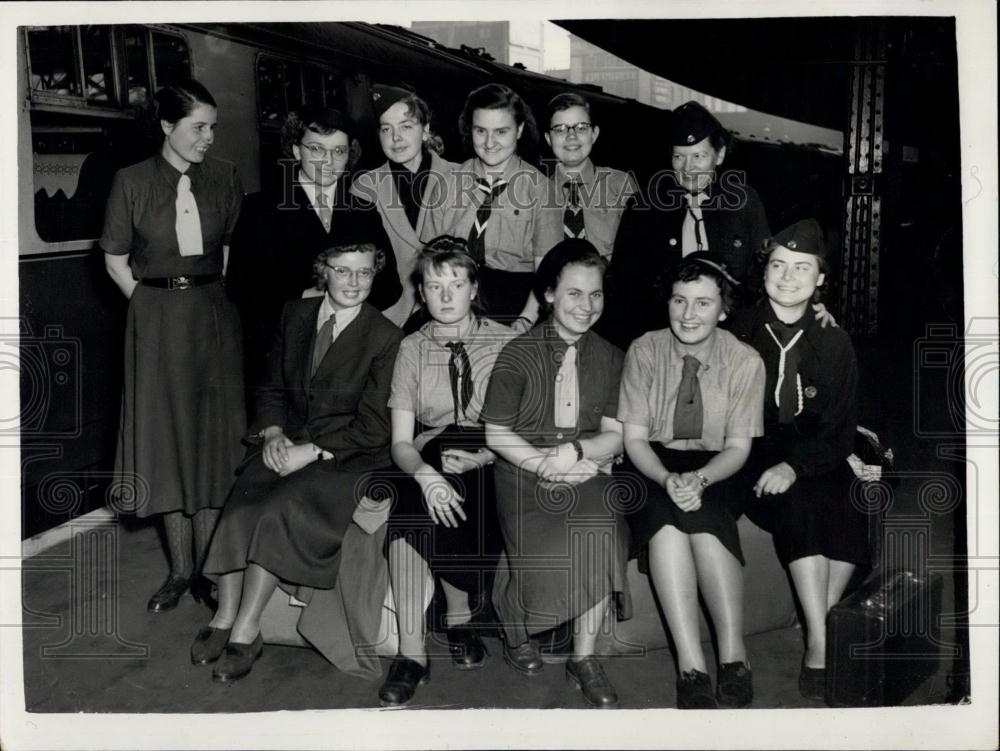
(582, 200)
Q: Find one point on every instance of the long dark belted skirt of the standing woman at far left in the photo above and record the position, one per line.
(183, 409)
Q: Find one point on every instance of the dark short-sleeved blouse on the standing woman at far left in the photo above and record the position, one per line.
(141, 214)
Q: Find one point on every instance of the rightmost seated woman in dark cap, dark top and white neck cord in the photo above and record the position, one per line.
(799, 470)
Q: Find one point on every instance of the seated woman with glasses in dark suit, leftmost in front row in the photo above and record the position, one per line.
(324, 427)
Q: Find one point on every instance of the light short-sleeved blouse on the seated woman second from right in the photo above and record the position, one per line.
(731, 378)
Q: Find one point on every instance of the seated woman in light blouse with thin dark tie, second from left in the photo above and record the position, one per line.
(444, 520)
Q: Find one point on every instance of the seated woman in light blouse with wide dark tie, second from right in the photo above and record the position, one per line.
(691, 404)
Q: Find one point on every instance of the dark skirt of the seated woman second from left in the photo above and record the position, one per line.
(464, 556)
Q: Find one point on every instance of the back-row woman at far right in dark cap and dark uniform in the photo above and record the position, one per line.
(694, 207)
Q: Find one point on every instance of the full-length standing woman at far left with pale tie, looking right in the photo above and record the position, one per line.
(166, 231)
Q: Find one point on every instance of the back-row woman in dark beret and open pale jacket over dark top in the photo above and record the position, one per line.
(400, 187)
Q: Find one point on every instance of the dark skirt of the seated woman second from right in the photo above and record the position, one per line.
(721, 503)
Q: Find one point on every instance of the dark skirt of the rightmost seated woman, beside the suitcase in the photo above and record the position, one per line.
(816, 516)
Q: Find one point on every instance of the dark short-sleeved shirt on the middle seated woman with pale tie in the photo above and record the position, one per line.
(521, 394)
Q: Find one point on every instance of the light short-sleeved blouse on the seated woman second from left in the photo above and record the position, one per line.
(421, 379)
